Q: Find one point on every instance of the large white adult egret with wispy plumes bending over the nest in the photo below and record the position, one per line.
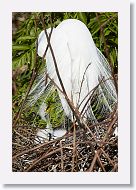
(81, 66)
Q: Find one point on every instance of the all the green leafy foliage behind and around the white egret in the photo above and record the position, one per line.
(104, 29)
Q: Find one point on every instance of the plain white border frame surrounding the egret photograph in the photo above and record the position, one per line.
(6, 9)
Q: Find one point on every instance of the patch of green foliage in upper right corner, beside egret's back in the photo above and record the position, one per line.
(104, 29)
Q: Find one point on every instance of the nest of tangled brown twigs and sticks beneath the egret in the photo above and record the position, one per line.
(79, 150)
